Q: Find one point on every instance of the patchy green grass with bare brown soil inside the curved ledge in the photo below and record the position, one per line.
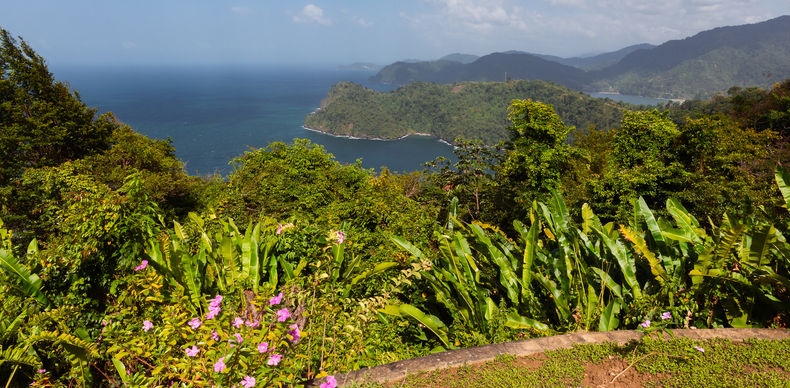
(651, 362)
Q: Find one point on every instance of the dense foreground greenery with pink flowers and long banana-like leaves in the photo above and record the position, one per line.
(118, 268)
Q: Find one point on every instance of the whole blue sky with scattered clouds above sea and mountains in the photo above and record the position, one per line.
(345, 31)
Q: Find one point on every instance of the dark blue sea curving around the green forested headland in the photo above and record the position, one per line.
(214, 115)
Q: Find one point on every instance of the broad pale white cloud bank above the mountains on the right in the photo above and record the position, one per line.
(573, 27)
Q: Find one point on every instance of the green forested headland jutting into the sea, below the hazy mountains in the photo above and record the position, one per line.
(469, 110)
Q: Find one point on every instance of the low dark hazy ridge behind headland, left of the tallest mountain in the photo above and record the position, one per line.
(492, 67)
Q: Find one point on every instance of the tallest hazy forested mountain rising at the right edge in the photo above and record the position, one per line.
(706, 63)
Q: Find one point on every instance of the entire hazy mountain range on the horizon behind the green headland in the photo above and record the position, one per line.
(695, 67)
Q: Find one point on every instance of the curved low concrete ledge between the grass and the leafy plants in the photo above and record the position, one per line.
(480, 354)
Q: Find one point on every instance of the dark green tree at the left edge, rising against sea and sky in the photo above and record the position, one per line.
(42, 123)
